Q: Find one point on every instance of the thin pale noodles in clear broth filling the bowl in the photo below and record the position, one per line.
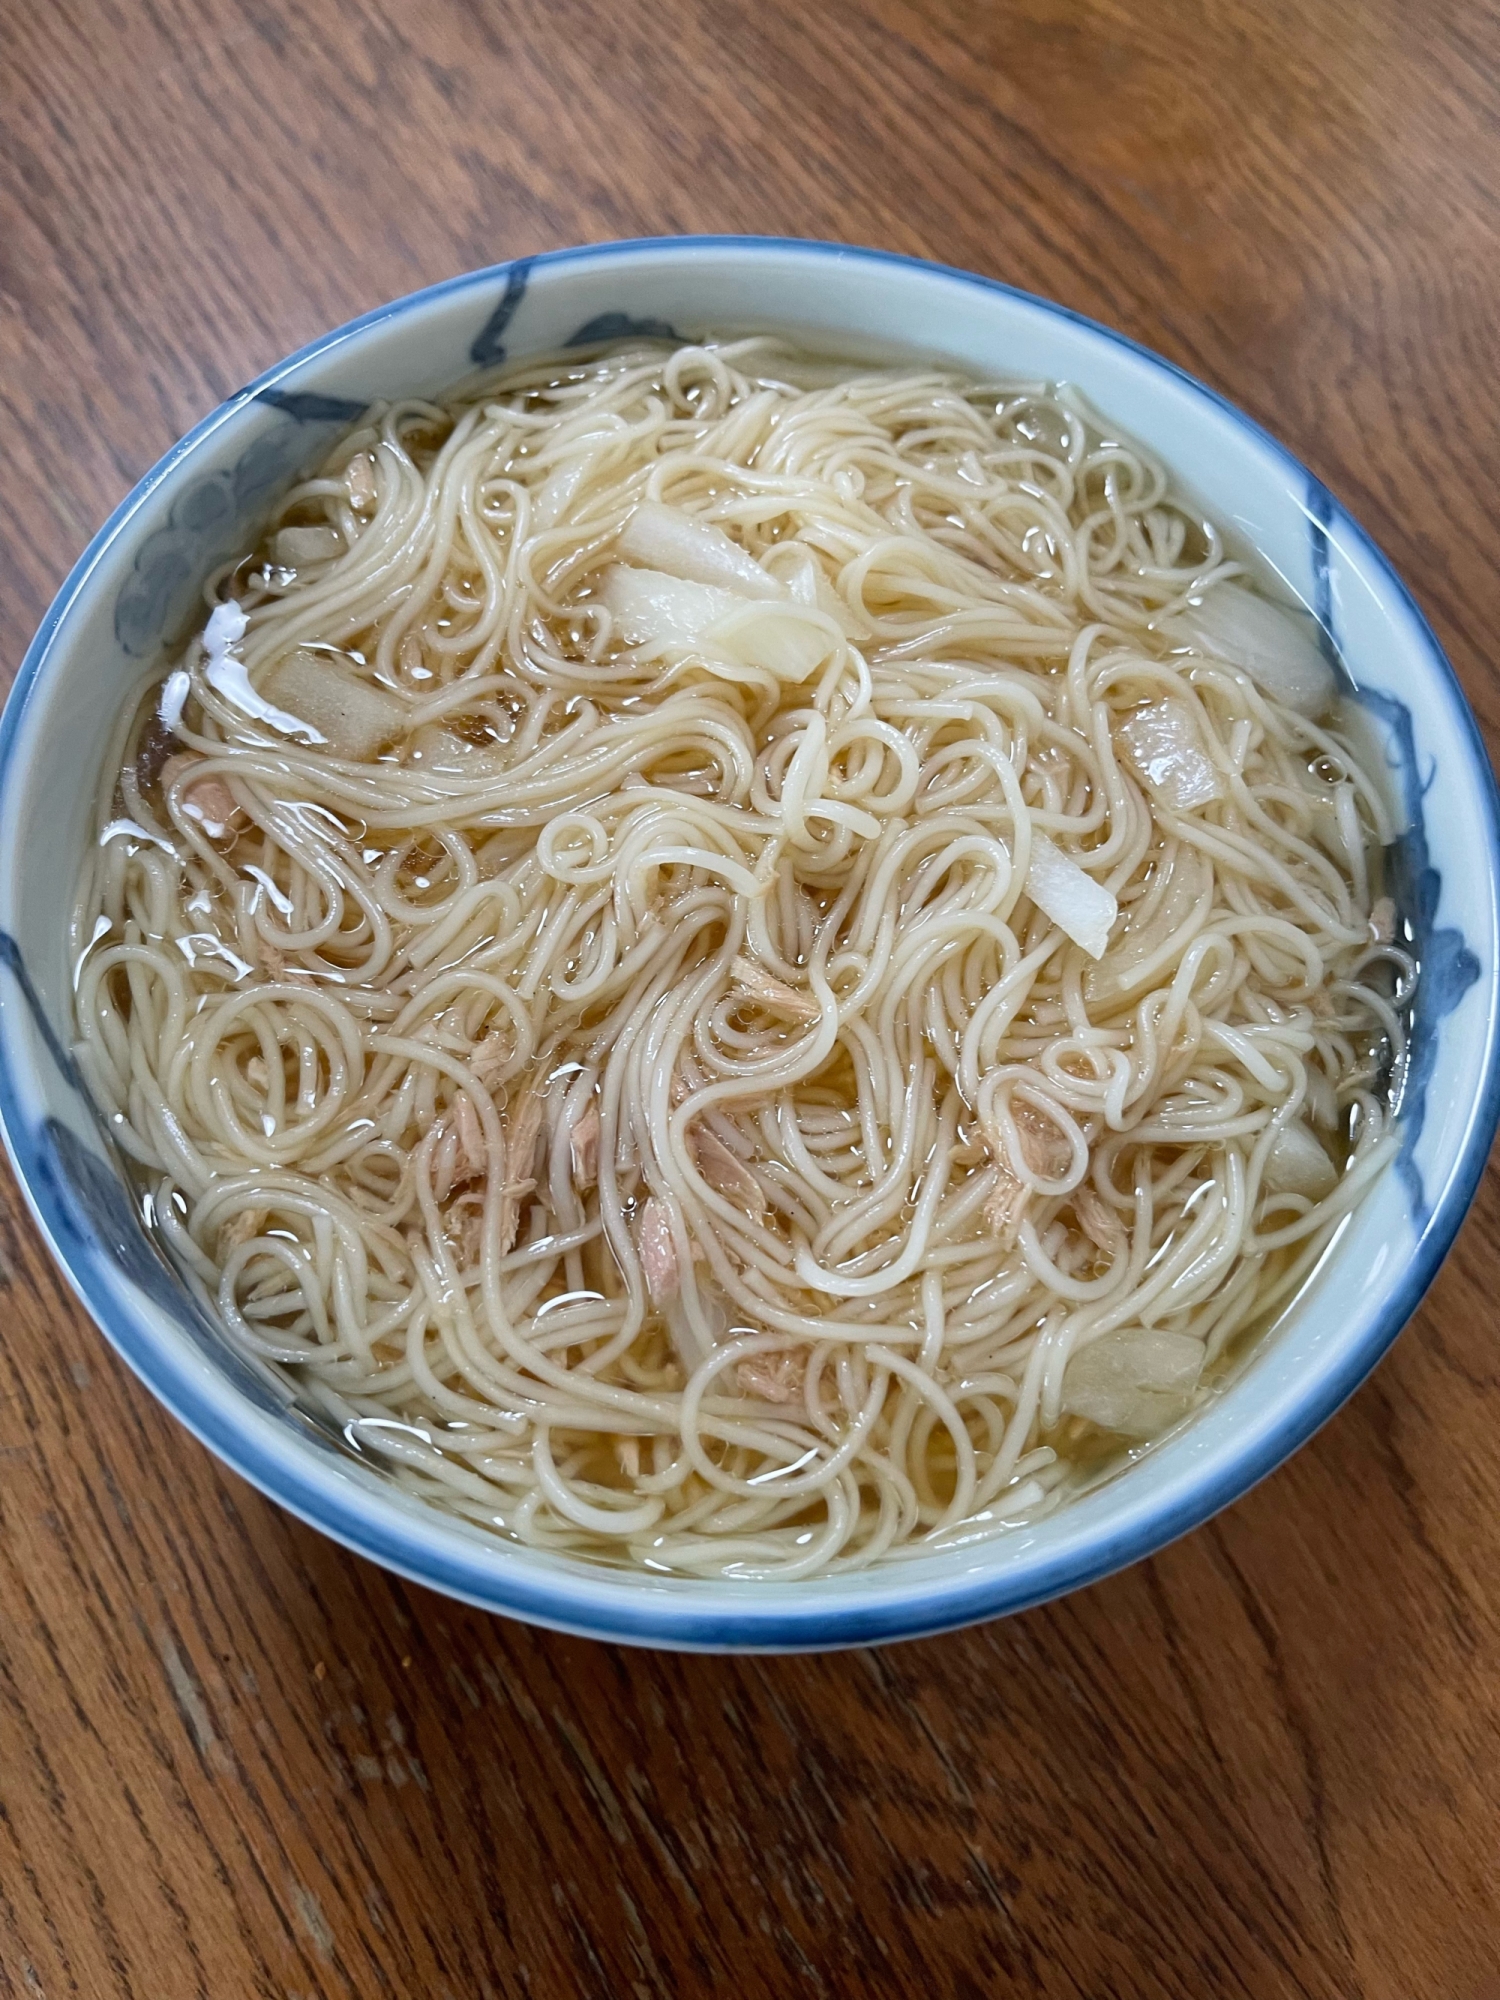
(743, 965)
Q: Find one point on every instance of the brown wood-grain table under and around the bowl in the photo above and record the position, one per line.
(241, 1763)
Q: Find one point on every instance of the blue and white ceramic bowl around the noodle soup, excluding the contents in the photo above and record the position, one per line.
(139, 583)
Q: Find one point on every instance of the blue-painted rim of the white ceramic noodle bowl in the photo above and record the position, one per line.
(601, 1605)
